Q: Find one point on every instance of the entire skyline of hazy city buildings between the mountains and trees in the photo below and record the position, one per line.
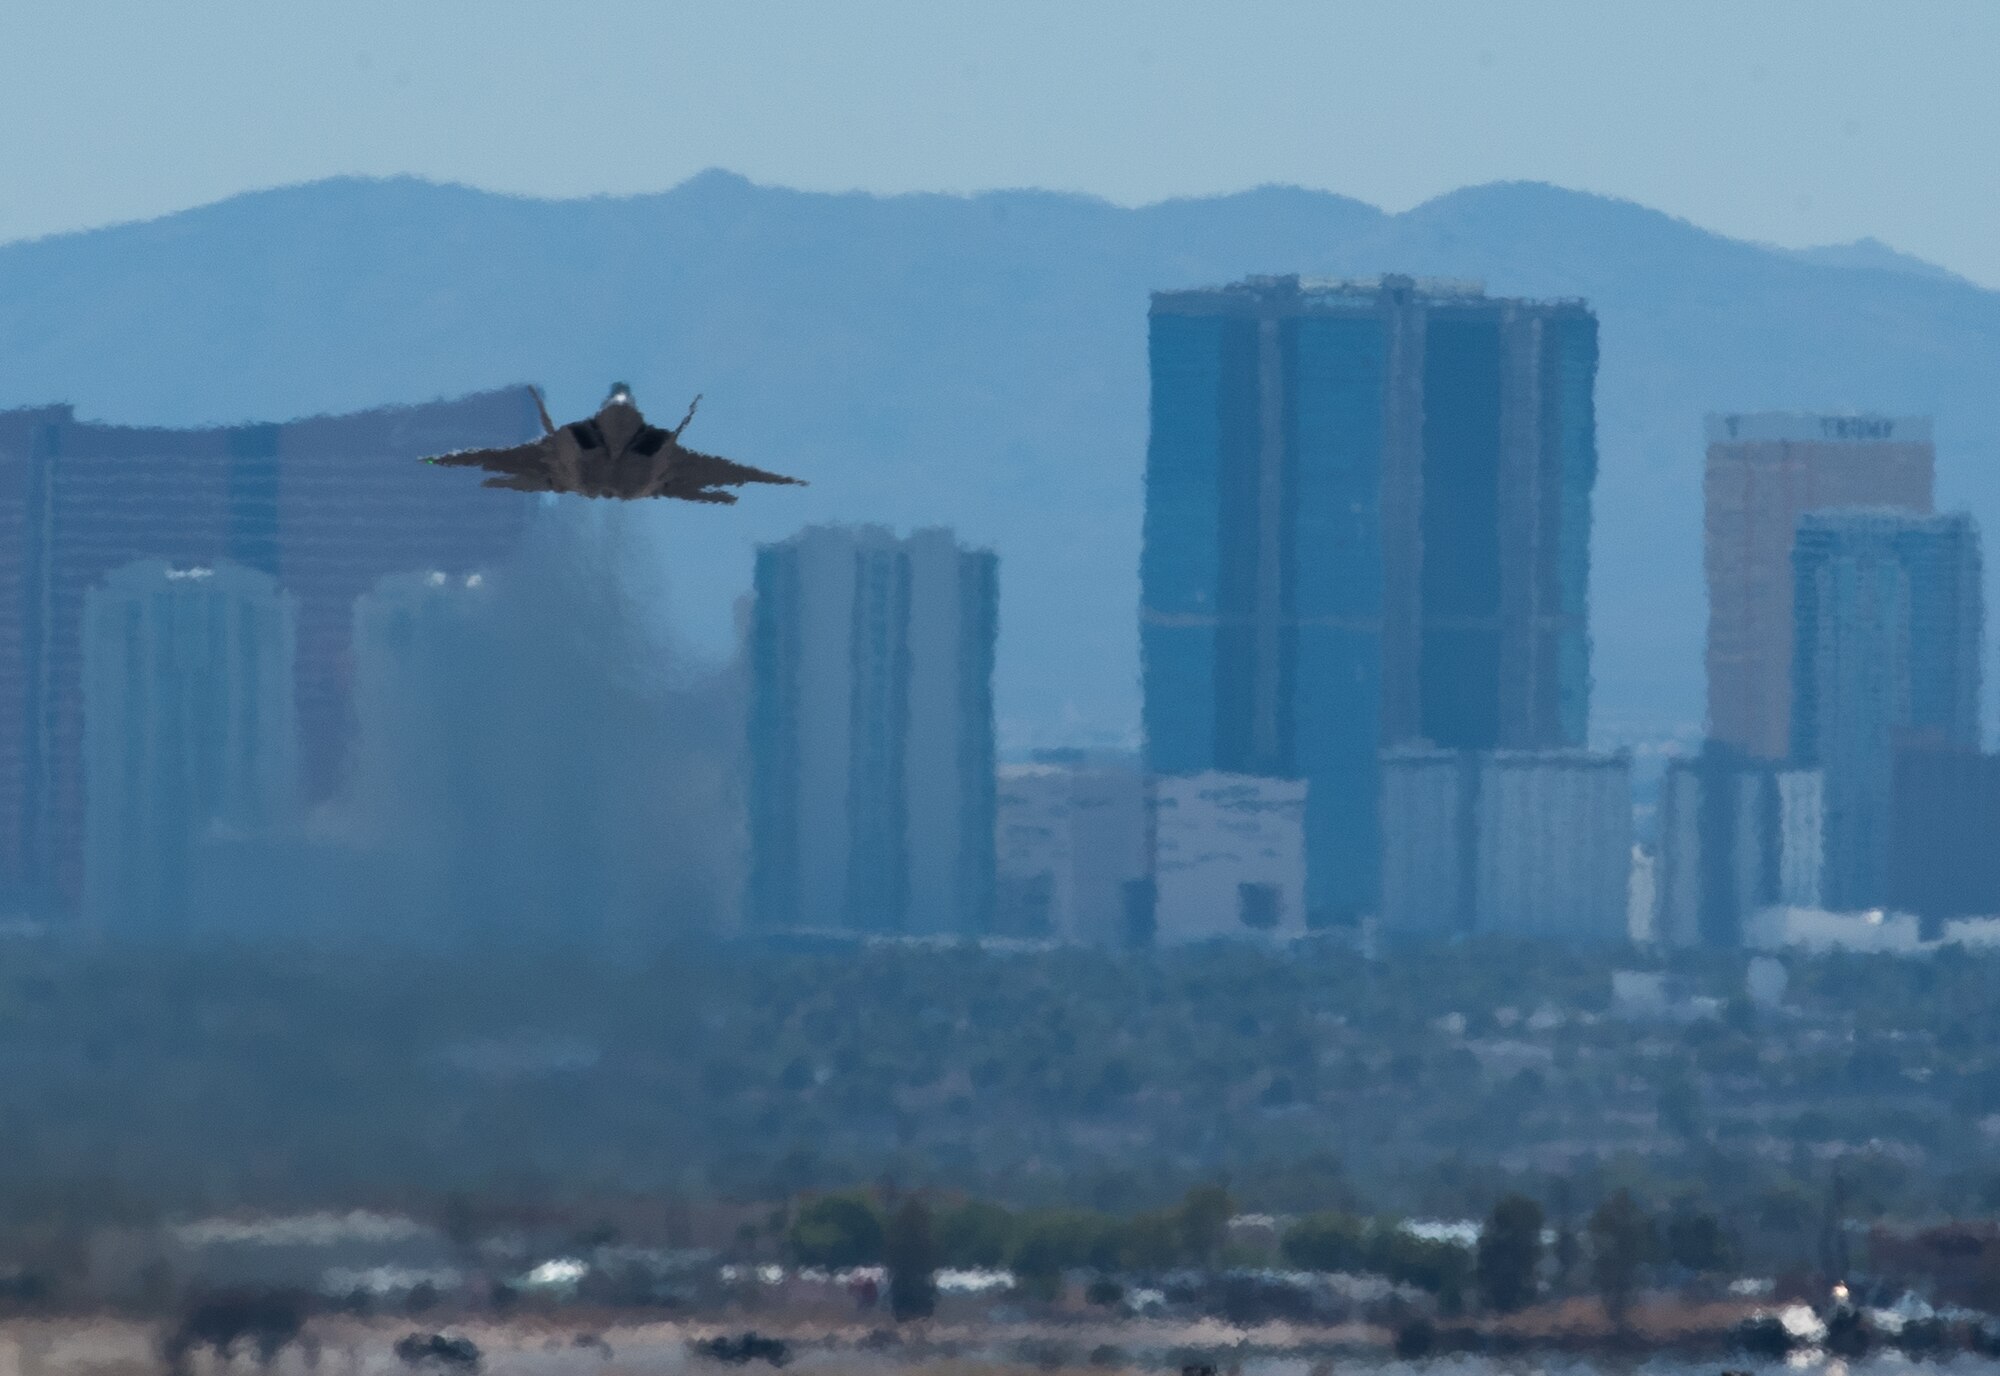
(1365, 639)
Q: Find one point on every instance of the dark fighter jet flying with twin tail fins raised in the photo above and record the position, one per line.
(613, 455)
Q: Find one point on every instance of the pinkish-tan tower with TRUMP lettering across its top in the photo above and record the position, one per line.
(1765, 471)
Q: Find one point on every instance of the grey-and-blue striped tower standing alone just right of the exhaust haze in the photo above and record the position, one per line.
(873, 733)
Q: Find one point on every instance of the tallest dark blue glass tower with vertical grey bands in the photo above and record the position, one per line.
(1367, 523)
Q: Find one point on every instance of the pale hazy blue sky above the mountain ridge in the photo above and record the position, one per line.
(1793, 123)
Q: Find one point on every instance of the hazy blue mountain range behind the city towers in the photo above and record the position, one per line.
(981, 363)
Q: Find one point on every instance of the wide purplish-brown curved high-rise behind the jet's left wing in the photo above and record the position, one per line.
(325, 505)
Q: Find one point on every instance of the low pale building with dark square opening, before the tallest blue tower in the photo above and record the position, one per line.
(1229, 857)
